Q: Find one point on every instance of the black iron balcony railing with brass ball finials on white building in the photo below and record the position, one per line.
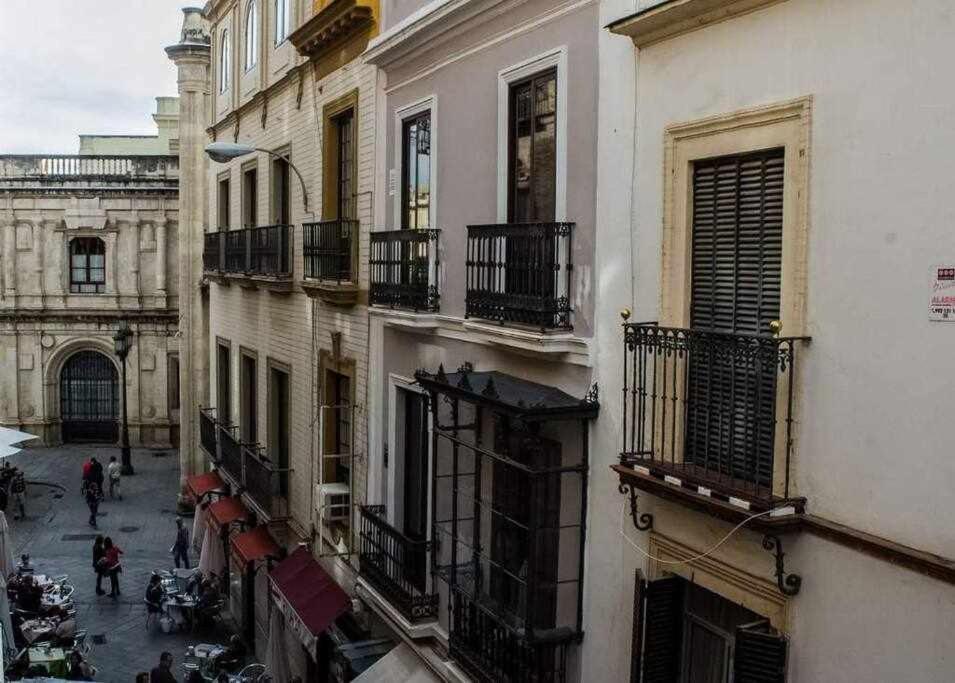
(713, 409)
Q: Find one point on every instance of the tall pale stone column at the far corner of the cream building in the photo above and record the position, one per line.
(191, 56)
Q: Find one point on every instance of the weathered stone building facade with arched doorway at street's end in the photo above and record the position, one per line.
(88, 242)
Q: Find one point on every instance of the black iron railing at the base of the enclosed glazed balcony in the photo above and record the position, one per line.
(492, 651)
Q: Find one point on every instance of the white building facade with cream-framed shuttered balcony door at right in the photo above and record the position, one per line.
(767, 193)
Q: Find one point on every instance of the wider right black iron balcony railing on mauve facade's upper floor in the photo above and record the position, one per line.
(520, 273)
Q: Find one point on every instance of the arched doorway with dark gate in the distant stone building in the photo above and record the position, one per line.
(89, 398)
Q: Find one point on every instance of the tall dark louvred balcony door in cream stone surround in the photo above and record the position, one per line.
(735, 290)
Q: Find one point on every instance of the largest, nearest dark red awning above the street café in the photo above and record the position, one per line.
(307, 596)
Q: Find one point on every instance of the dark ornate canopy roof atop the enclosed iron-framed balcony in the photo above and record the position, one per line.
(511, 395)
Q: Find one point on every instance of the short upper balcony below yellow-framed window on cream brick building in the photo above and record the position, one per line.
(330, 255)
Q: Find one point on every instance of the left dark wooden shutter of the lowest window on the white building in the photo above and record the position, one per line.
(657, 630)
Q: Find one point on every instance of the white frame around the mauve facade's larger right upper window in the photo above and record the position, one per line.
(556, 57)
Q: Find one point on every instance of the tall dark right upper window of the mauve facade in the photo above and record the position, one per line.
(532, 149)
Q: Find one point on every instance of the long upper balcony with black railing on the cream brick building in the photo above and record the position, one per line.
(252, 256)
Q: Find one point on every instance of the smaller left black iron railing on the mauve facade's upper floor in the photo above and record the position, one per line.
(403, 268)
